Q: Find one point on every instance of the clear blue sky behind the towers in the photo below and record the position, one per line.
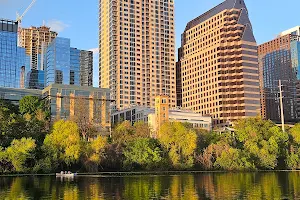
(78, 19)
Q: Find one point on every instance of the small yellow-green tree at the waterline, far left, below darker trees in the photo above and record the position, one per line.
(21, 154)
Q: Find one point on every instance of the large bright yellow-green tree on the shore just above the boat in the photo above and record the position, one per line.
(63, 144)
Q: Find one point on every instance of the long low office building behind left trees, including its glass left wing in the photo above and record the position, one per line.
(64, 100)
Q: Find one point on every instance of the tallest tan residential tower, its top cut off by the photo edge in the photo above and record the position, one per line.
(137, 51)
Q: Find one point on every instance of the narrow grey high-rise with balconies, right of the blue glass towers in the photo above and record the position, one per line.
(86, 68)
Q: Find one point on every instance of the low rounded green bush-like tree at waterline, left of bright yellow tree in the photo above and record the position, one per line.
(143, 153)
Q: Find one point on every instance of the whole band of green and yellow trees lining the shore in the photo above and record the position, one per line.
(29, 143)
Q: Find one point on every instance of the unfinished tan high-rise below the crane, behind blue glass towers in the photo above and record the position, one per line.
(35, 40)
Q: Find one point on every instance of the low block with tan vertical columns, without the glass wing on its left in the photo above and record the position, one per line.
(67, 101)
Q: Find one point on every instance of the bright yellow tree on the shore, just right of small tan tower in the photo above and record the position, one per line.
(180, 142)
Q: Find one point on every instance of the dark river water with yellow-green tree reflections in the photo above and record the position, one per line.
(262, 185)
